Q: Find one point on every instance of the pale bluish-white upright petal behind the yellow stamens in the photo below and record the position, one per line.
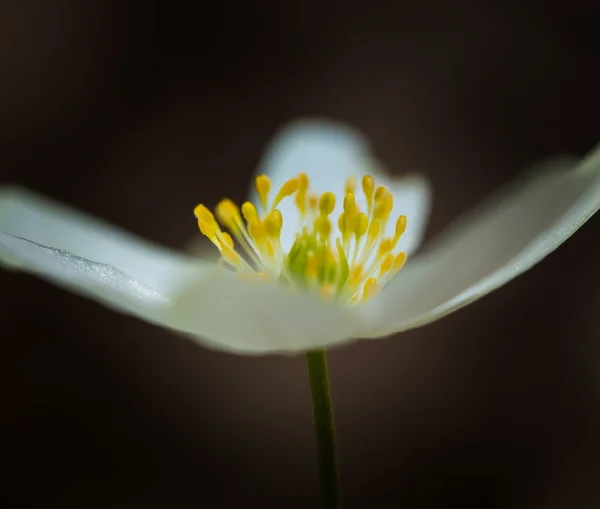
(329, 153)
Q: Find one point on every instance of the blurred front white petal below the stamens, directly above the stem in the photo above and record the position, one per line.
(260, 317)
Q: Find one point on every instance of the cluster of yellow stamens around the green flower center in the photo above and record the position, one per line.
(349, 260)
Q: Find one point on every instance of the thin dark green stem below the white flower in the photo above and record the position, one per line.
(328, 467)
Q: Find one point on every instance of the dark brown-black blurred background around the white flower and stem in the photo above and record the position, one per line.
(136, 111)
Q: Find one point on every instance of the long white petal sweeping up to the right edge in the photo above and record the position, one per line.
(494, 244)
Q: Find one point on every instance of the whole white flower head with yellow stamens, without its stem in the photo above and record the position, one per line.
(295, 292)
